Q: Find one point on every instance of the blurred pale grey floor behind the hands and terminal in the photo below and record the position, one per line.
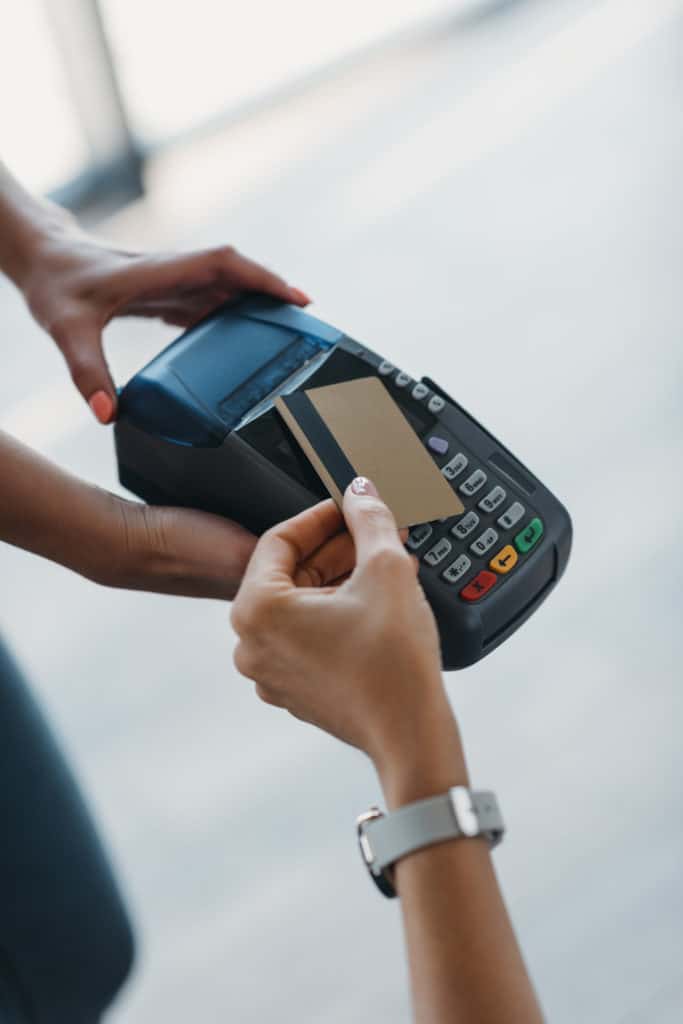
(498, 205)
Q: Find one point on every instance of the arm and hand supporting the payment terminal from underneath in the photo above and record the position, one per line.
(112, 541)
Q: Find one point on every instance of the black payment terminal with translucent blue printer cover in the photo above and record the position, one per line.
(197, 428)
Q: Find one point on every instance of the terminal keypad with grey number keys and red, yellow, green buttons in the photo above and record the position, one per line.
(477, 552)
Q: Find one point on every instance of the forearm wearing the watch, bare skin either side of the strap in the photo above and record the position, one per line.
(464, 959)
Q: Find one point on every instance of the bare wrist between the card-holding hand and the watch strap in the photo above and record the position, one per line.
(430, 759)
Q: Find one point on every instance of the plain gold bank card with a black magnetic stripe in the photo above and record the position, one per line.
(356, 429)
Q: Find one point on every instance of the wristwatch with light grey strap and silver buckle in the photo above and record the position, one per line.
(385, 839)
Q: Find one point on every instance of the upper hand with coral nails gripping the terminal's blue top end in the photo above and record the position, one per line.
(75, 285)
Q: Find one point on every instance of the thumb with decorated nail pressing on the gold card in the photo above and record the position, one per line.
(372, 525)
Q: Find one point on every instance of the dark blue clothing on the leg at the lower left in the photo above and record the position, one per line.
(66, 943)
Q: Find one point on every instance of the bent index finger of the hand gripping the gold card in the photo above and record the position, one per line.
(284, 547)
